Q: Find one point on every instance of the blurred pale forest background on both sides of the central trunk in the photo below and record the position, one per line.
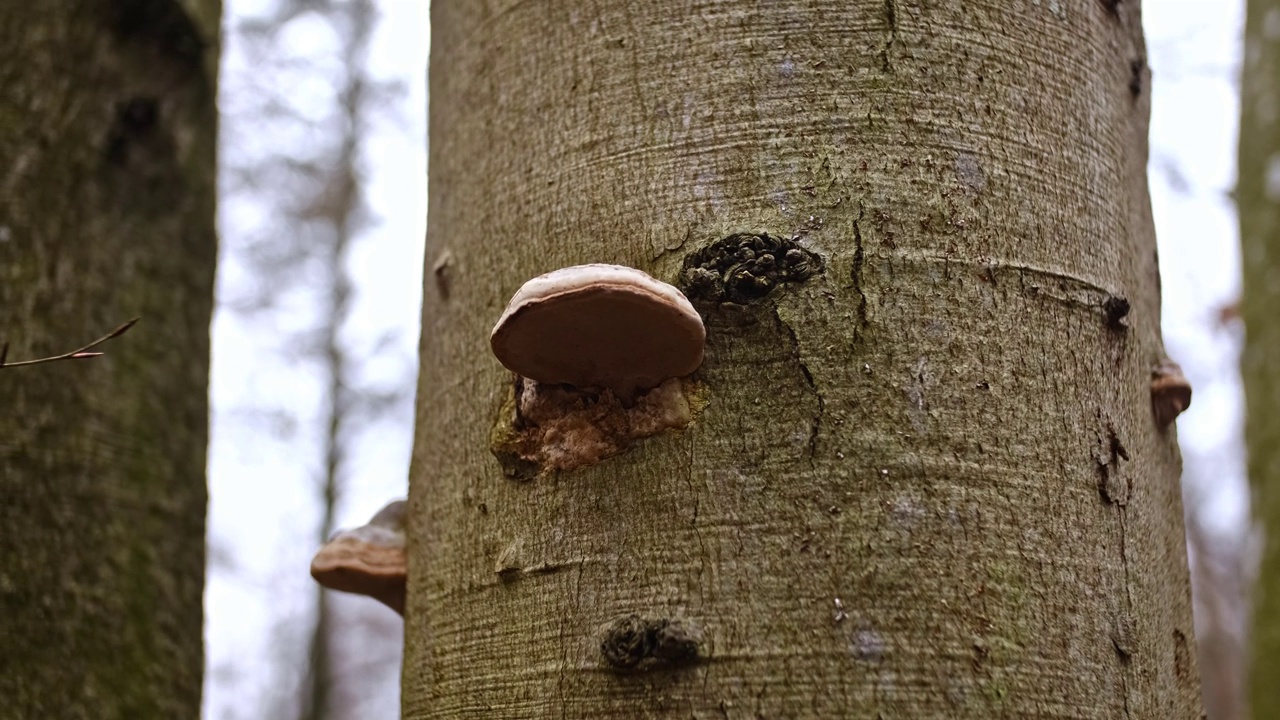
(316, 340)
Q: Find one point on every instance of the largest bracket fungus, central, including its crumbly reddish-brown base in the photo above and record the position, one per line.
(600, 353)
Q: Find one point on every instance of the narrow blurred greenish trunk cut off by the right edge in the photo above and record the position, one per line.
(1259, 198)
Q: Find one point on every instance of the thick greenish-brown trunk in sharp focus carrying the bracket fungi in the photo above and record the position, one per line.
(927, 482)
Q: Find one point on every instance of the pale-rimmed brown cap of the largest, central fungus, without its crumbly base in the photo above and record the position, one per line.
(600, 327)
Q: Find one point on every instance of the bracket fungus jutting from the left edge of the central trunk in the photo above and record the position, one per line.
(368, 560)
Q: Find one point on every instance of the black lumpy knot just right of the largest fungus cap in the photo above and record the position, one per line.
(746, 267)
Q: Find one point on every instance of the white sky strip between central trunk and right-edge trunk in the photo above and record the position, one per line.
(1195, 51)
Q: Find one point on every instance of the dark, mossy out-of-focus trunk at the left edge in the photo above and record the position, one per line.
(108, 129)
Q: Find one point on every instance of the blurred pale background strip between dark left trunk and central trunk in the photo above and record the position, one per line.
(322, 218)
